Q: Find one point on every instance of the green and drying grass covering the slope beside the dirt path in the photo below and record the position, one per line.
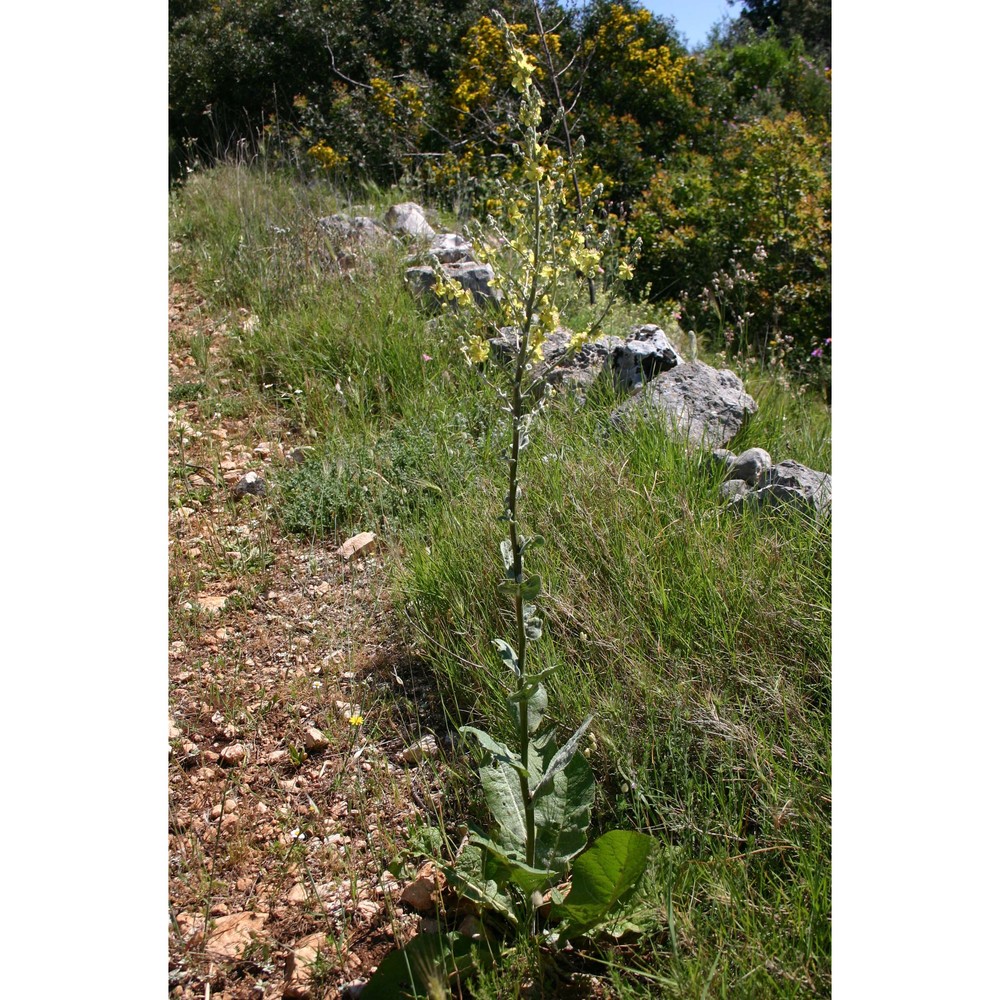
(700, 640)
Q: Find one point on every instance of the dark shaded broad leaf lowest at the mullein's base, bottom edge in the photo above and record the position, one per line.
(406, 972)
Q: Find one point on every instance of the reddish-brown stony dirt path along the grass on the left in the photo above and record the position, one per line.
(289, 707)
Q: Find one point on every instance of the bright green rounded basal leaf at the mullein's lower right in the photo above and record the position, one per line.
(604, 877)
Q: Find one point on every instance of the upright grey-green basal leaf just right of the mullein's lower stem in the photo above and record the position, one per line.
(562, 807)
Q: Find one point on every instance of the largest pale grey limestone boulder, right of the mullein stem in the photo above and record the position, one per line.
(694, 403)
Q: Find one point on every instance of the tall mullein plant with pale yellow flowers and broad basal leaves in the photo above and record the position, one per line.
(540, 795)
